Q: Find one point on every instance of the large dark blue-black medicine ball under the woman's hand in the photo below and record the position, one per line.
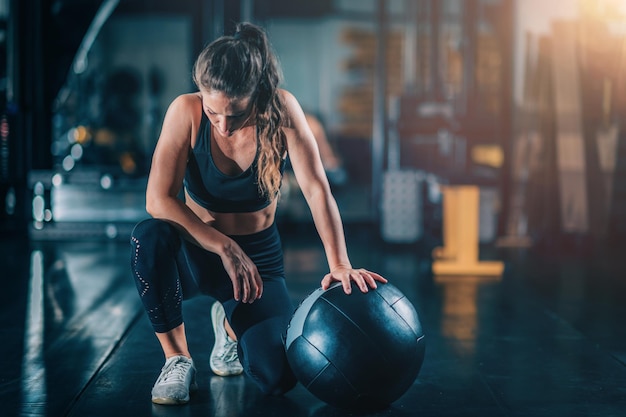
(358, 351)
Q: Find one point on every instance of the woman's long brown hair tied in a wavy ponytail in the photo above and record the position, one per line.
(244, 65)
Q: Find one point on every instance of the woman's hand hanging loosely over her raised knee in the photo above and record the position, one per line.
(247, 283)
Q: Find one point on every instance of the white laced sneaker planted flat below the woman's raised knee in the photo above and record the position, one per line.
(178, 376)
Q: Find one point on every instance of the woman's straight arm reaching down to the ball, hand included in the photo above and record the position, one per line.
(309, 172)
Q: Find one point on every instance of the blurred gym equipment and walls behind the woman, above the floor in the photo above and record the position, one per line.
(523, 99)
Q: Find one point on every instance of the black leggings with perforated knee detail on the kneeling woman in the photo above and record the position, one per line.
(168, 269)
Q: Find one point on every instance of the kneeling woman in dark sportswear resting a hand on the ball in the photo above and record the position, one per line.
(224, 148)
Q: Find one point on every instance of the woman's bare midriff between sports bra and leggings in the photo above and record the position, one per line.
(235, 223)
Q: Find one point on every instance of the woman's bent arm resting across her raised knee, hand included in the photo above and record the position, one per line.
(169, 162)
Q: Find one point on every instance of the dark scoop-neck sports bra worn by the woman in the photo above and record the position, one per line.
(216, 191)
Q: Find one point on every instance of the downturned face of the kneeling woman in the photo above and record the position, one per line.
(226, 114)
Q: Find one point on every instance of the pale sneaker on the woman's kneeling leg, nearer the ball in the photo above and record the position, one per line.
(224, 359)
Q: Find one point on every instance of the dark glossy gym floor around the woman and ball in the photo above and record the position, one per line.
(546, 339)
